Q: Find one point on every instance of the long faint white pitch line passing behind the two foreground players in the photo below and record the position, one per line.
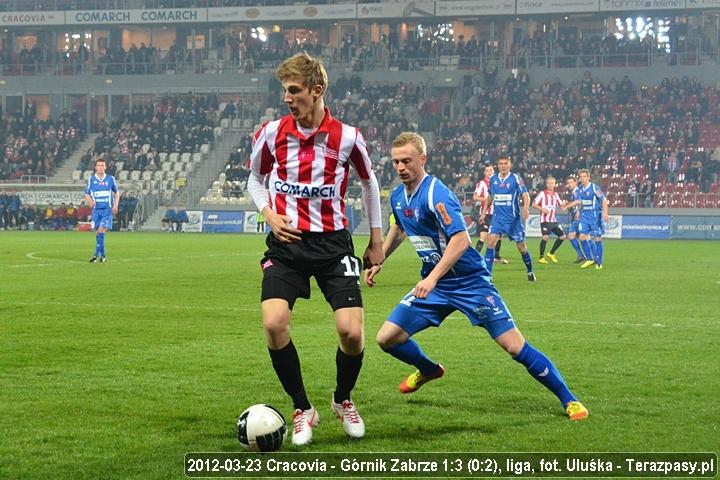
(257, 310)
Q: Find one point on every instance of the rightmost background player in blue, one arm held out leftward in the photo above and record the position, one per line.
(593, 215)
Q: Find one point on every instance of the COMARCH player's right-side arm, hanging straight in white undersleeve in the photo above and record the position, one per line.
(360, 159)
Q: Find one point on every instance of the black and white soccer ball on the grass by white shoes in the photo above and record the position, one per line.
(261, 428)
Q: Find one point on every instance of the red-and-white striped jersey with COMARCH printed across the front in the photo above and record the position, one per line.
(309, 175)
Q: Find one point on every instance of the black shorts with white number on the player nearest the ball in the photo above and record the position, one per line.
(329, 257)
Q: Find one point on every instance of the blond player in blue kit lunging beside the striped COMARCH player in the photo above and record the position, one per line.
(454, 277)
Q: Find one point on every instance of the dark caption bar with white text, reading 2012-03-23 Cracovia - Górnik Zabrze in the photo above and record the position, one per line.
(449, 464)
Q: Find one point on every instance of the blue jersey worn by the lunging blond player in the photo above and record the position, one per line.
(430, 216)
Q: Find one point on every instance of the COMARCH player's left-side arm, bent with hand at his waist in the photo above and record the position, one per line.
(261, 161)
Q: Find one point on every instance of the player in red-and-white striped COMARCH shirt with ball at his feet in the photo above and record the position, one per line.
(305, 158)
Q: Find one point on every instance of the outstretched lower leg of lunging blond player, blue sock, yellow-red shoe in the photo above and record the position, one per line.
(541, 368)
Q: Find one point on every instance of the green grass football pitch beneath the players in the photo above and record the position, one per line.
(116, 370)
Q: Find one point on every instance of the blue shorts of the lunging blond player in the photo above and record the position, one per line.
(472, 296)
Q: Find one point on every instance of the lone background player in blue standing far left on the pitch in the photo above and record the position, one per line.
(102, 195)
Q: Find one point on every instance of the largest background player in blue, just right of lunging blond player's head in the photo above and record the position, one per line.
(506, 191)
